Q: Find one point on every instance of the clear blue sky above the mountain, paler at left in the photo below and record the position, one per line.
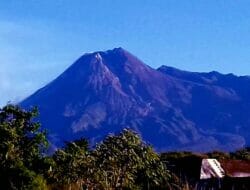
(41, 38)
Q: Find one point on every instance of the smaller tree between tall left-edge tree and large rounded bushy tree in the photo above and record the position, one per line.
(73, 164)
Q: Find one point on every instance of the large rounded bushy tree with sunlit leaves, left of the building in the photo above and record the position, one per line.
(124, 161)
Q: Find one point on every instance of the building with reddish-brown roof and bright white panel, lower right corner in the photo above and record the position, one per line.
(224, 174)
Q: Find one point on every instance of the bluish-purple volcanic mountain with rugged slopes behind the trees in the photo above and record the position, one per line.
(103, 92)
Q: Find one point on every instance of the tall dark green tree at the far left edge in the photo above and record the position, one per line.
(22, 144)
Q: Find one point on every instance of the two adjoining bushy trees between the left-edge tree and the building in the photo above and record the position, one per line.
(119, 162)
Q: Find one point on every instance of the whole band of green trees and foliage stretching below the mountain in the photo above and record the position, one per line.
(121, 161)
